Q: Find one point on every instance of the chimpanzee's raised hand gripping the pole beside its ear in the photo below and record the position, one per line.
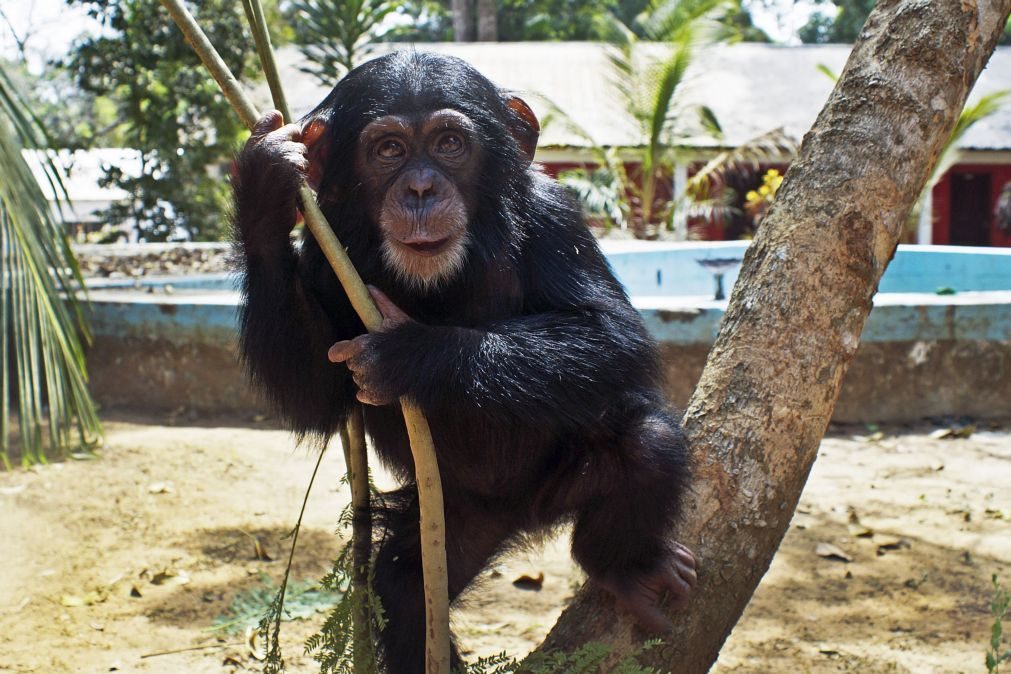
(270, 169)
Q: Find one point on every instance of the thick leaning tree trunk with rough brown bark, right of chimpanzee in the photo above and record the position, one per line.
(796, 316)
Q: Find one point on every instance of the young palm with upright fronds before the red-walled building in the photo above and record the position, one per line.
(617, 196)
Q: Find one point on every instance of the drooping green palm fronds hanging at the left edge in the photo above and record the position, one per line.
(43, 377)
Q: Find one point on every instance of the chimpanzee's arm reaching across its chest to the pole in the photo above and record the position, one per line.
(578, 347)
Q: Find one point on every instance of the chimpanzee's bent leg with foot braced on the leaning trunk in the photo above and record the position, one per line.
(621, 531)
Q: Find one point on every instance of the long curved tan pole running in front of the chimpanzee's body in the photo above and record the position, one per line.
(433, 520)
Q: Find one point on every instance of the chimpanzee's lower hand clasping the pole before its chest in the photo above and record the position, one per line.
(363, 358)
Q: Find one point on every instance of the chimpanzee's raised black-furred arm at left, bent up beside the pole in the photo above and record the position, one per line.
(285, 331)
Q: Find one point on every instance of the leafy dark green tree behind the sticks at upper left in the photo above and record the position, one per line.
(167, 109)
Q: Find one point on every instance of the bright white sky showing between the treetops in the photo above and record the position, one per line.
(52, 27)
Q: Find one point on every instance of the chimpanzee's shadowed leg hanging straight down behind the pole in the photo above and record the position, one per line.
(474, 536)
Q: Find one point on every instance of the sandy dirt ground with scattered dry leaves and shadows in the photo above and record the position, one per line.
(125, 563)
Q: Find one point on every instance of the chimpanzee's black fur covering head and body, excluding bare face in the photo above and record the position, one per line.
(540, 382)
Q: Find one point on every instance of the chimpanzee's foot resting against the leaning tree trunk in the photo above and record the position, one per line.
(671, 584)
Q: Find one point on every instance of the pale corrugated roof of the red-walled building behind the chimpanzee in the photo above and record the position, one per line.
(753, 88)
